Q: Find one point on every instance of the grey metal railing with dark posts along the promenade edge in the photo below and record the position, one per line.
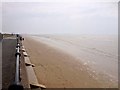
(17, 85)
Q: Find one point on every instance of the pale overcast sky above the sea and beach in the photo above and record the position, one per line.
(60, 17)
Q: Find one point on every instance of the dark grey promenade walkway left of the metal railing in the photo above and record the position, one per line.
(8, 61)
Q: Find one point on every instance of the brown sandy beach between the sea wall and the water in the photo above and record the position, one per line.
(57, 69)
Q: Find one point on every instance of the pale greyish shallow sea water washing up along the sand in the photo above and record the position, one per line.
(100, 53)
